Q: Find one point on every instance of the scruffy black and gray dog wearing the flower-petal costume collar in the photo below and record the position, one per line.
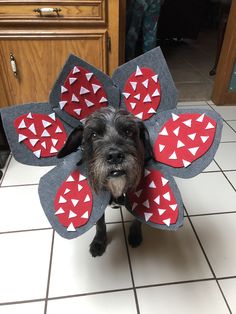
(115, 146)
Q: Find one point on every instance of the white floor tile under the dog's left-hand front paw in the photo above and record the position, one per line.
(75, 271)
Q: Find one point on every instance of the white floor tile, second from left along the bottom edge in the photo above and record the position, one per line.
(108, 303)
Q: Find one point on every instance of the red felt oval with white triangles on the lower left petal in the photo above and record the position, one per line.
(74, 201)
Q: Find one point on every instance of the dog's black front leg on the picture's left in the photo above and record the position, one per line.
(99, 243)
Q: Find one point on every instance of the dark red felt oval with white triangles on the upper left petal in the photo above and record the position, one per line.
(82, 93)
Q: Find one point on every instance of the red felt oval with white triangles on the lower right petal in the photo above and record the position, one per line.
(154, 201)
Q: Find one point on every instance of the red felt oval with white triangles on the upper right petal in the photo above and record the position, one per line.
(142, 93)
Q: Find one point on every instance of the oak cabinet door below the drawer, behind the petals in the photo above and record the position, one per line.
(39, 60)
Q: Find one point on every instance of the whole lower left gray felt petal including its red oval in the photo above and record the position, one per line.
(69, 216)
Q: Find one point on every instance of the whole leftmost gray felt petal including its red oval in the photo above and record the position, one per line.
(23, 150)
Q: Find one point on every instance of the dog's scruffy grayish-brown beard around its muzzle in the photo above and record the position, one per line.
(117, 179)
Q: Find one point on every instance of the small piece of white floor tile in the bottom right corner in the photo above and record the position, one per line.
(229, 289)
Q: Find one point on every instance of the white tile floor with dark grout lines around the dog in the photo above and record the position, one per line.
(189, 271)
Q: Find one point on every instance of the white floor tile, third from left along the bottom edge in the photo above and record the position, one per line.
(191, 298)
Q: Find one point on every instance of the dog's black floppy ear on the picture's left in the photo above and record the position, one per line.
(73, 142)
